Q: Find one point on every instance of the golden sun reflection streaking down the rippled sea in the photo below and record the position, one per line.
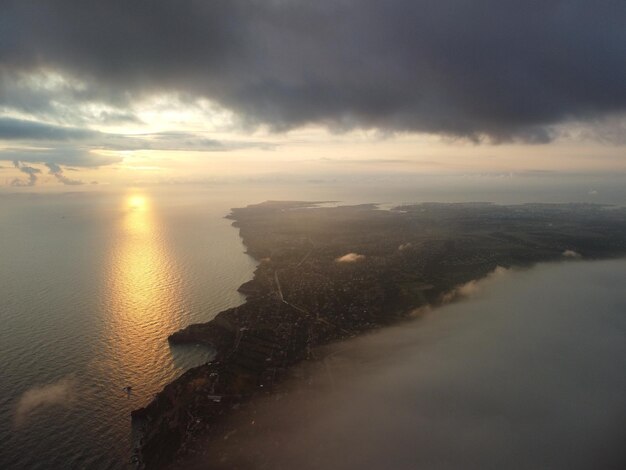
(144, 298)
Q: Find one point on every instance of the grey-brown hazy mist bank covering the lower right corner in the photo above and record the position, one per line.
(527, 373)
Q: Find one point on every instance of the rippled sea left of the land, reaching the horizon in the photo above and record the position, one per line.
(91, 285)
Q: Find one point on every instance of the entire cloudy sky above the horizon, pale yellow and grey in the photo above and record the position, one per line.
(97, 93)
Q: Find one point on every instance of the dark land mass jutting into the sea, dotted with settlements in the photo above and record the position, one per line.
(330, 273)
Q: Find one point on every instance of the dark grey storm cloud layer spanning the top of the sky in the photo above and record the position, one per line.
(500, 68)
